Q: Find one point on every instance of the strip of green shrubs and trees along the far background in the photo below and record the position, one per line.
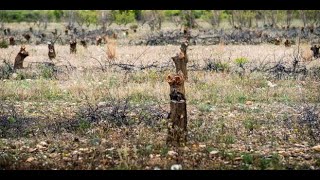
(155, 18)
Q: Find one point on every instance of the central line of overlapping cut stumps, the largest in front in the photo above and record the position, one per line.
(177, 125)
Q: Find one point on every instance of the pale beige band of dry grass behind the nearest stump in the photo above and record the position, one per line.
(142, 55)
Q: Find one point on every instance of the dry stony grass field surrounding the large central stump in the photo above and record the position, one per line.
(102, 115)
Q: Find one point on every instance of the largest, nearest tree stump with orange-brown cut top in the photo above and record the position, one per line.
(177, 125)
